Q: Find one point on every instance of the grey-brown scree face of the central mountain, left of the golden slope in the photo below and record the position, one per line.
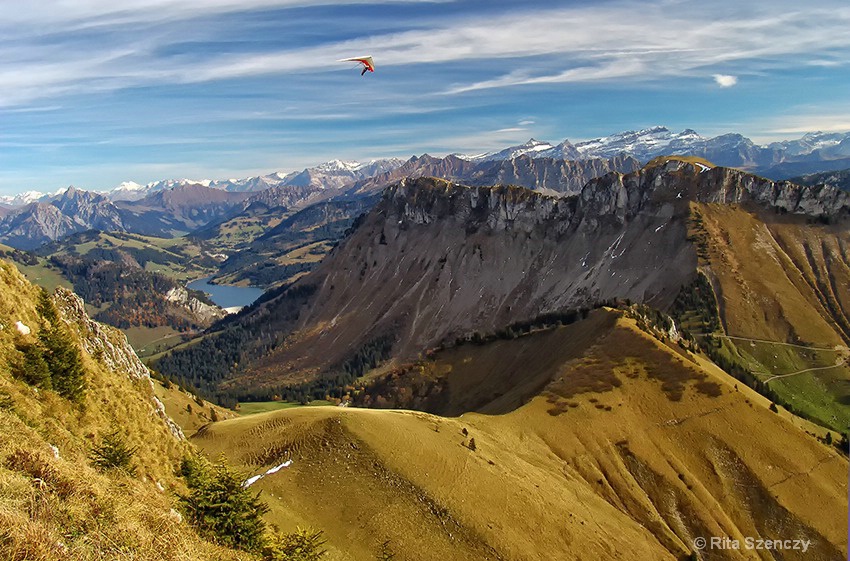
(436, 260)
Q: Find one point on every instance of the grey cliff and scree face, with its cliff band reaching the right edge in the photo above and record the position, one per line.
(435, 260)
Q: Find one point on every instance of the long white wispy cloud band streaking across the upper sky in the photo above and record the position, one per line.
(611, 42)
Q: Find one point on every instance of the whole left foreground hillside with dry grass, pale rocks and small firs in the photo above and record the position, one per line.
(54, 502)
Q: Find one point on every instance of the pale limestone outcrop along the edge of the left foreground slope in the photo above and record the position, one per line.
(110, 346)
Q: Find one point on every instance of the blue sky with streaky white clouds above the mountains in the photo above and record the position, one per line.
(96, 92)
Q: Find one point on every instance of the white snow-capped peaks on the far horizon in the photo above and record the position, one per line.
(778, 160)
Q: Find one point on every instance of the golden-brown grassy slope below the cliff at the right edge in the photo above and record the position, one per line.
(787, 282)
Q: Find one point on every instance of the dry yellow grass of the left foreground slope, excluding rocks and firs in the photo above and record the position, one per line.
(61, 507)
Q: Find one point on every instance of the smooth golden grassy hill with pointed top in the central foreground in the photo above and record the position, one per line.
(629, 450)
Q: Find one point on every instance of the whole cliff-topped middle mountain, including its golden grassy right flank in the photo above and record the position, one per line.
(435, 261)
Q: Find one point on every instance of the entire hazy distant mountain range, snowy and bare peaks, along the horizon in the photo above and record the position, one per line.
(172, 207)
